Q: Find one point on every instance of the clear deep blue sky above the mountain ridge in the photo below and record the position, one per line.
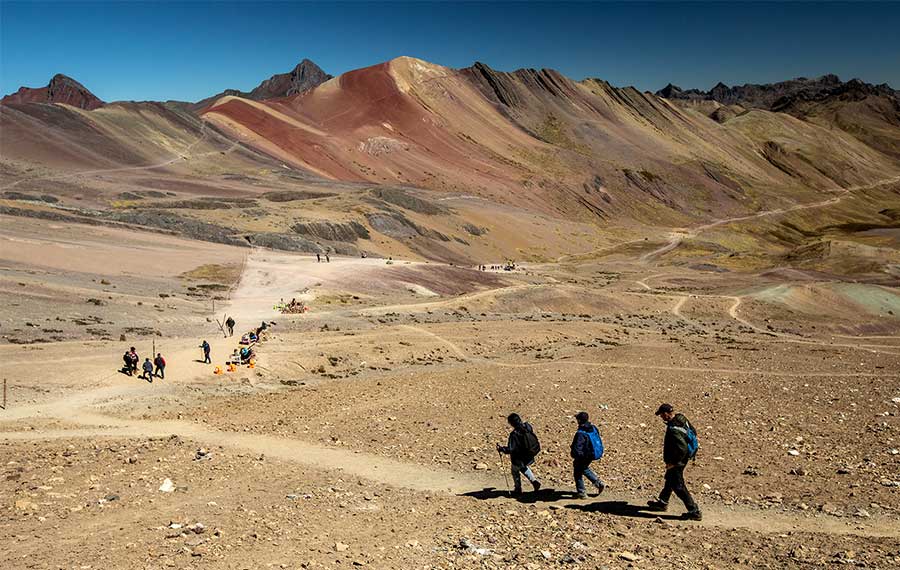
(187, 51)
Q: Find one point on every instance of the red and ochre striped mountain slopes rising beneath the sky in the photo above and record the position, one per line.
(408, 158)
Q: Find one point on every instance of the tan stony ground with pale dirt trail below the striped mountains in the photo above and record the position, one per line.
(365, 435)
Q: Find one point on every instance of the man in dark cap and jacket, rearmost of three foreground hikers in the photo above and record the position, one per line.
(679, 446)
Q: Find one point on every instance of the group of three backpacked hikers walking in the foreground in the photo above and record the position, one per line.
(679, 447)
